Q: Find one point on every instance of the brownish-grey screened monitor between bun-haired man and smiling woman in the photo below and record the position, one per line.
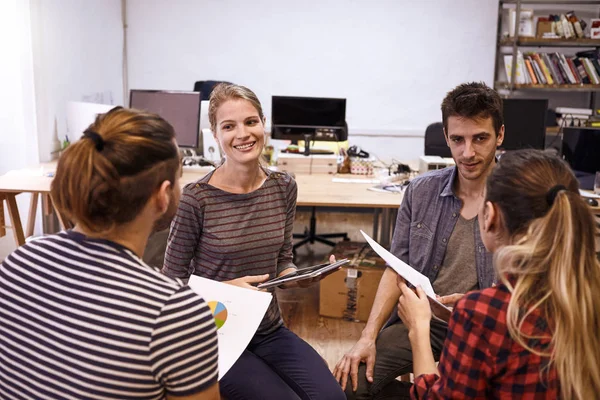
(179, 108)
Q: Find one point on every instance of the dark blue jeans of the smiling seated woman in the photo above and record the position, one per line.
(280, 366)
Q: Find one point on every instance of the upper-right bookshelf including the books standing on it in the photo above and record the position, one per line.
(512, 46)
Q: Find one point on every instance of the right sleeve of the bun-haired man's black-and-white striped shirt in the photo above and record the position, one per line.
(183, 347)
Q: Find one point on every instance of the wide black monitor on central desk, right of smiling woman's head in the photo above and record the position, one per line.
(296, 118)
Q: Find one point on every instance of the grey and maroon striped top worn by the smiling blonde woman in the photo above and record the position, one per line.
(222, 236)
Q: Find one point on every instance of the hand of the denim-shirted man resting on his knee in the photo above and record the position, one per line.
(363, 351)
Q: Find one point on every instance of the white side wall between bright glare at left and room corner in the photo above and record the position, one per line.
(77, 47)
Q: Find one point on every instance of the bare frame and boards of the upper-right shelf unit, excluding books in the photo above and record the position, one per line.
(515, 43)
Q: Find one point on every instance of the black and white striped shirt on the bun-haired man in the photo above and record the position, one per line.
(87, 319)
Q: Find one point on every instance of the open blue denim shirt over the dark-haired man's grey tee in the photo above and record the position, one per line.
(426, 219)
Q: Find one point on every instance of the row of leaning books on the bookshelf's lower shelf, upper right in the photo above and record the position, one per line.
(555, 68)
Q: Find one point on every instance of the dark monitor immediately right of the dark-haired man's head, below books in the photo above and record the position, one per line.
(524, 124)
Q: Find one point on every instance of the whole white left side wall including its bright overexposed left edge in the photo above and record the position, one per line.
(53, 51)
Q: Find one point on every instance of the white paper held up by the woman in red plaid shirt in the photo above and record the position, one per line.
(411, 276)
